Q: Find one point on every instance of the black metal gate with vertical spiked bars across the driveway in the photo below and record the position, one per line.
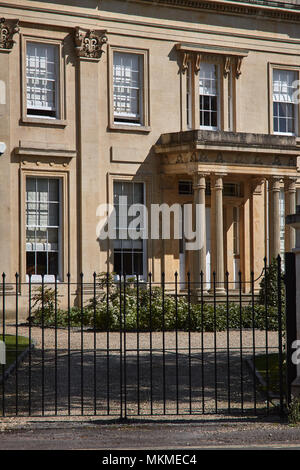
(131, 348)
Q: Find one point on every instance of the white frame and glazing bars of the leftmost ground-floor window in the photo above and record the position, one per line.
(47, 277)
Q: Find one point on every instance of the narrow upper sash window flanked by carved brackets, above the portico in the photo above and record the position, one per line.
(208, 96)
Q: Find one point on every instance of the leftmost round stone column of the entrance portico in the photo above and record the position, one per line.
(199, 255)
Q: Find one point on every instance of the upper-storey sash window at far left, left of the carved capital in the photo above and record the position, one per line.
(42, 80)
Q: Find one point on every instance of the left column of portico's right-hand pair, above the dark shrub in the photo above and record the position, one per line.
(274, 217)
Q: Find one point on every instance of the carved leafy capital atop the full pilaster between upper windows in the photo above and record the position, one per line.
(89, 43)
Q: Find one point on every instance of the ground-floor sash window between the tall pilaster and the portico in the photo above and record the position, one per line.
(129, 253)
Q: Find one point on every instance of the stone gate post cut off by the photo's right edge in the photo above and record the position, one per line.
(293, 305)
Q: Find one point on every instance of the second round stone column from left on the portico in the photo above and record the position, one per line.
(217, 231)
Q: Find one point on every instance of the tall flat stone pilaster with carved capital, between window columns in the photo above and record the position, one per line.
(88, 48)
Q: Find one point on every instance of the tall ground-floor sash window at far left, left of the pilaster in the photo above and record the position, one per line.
(43, 227)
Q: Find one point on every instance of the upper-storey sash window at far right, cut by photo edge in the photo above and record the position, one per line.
(285, 116)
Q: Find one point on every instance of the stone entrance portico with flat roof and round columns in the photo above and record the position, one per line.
(243, 180)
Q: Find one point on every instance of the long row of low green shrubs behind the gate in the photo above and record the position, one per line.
(134, 311)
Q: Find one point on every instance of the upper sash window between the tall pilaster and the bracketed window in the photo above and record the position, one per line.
(128, 88)
